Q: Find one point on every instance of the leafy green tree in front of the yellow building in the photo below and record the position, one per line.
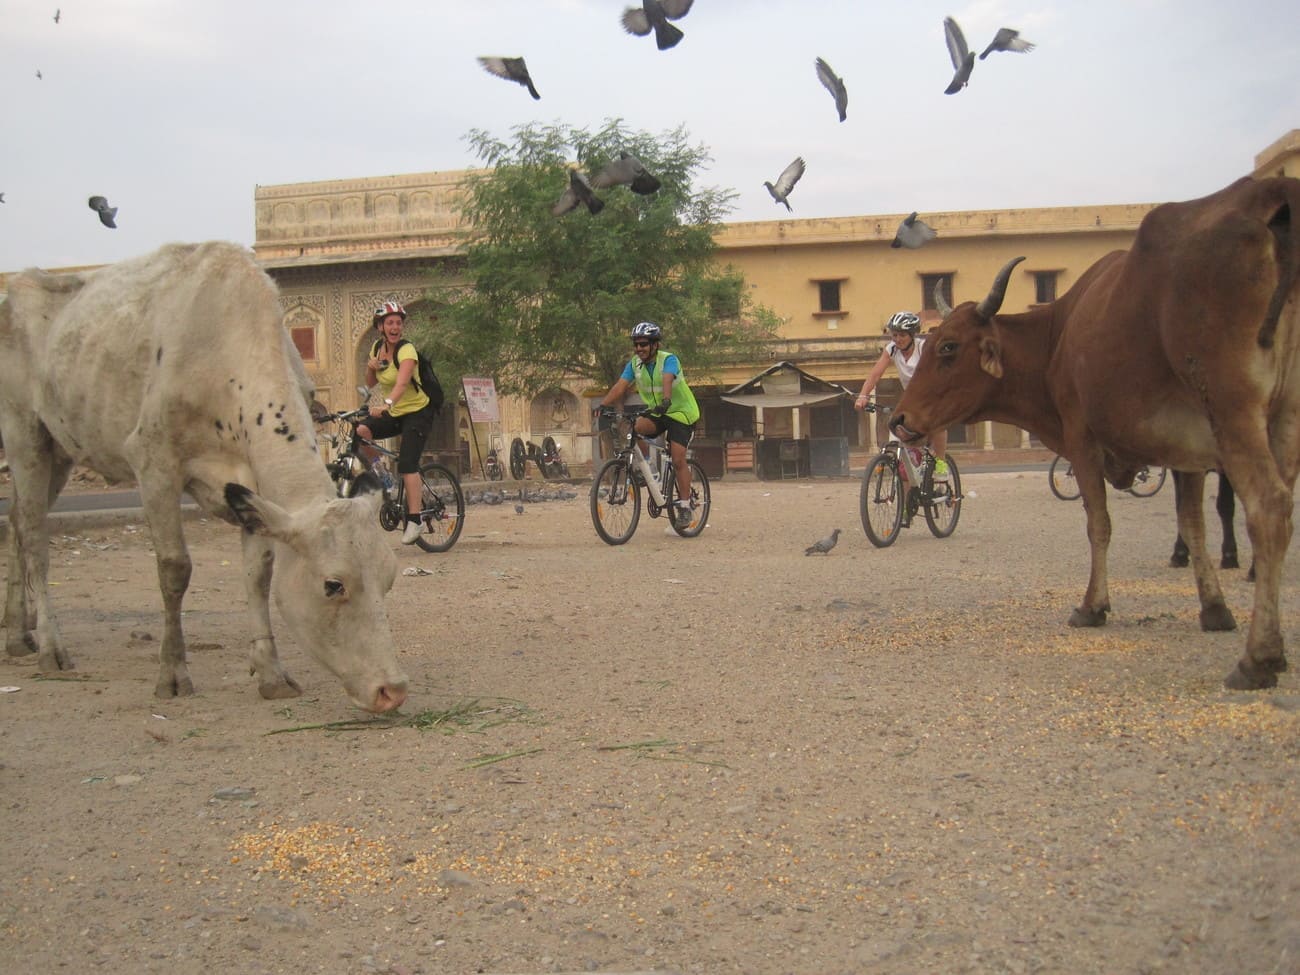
(540, 298)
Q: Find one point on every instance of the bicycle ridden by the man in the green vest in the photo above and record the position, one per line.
(617, 488)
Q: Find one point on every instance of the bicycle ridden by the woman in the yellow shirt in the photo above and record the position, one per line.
(443, 502)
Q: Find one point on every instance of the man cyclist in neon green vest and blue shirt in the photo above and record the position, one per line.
(670, 405)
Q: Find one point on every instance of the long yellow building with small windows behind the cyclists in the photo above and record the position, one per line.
(339, 249)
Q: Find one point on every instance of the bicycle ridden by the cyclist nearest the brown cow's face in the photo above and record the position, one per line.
(899, 483)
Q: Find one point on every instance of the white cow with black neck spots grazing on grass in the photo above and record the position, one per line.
(175, 370)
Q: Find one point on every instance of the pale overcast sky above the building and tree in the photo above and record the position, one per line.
(177, 110)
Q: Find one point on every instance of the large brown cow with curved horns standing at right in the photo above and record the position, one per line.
(1184, 352)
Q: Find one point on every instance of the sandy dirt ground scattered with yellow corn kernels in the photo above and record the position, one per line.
(707, 756)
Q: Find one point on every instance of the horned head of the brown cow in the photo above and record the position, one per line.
(960, 365)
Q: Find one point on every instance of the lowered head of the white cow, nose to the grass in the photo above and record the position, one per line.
(332, 574)
